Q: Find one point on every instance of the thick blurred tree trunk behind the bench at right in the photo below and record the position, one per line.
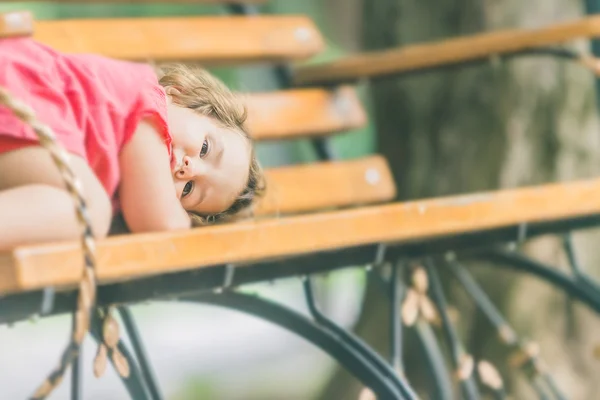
(495, 125)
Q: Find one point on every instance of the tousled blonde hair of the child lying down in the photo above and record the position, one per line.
(207, 95)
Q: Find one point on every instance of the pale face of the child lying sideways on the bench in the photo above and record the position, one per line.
(211, 163)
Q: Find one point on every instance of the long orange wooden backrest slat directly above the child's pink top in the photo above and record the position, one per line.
(212, 40)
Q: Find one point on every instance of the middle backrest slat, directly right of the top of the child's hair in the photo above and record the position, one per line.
(303, 113)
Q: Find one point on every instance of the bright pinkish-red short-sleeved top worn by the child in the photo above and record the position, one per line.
(93, 104)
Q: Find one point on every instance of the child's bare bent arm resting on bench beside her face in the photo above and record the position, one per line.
(147, 194)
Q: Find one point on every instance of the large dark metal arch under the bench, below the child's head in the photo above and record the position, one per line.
(284, 317)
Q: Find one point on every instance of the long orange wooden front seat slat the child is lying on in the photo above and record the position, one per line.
(130, 256)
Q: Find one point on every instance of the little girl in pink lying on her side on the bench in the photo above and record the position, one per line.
(167, 150)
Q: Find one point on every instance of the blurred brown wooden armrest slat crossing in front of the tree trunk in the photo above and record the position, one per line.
(445, 52)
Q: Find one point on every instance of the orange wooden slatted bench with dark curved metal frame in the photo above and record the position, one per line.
(300, 221)
